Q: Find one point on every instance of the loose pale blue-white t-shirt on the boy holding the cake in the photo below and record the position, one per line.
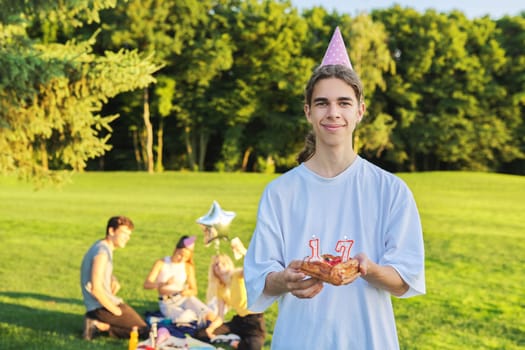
(365, 204)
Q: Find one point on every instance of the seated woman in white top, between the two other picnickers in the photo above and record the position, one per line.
(174, 279)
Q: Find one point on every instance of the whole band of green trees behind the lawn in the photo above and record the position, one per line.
(442, 91)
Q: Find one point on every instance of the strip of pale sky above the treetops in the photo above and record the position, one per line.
(471, 8)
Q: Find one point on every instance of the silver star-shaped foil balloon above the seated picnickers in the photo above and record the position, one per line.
(216, 223)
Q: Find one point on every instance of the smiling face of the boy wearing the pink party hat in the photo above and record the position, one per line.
(334, 112)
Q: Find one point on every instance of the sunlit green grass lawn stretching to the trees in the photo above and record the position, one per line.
(474, 228)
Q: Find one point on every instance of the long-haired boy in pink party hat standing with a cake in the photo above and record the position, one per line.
(331, 198)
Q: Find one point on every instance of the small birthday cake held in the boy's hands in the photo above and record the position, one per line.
(331, 269)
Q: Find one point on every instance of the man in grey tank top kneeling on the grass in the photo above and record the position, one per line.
(106, 311)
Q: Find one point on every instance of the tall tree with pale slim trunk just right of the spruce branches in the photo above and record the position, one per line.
(182, 37)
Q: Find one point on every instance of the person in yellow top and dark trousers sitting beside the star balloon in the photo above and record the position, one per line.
(226, 285)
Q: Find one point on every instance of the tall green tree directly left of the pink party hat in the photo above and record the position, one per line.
(270, 71)
